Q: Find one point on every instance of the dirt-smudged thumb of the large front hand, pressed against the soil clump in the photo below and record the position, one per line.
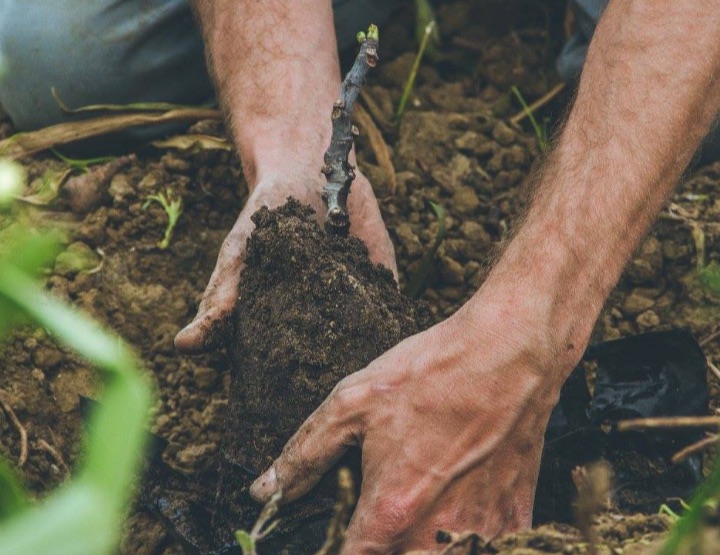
(321, 440)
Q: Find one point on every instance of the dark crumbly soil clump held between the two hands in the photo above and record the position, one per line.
(313, 309)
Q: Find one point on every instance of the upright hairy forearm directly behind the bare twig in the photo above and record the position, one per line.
(276, 71)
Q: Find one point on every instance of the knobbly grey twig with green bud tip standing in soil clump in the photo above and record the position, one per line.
(337, 168)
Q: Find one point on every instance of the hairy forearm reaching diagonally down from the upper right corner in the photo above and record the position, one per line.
(648, 94)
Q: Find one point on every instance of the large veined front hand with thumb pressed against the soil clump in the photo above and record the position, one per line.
(451, 425)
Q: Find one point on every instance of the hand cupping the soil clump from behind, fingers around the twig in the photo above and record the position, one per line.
(218, 302)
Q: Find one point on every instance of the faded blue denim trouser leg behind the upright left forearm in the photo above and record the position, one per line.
(117, 51)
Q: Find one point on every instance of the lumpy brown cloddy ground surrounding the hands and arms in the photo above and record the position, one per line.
(454, 147)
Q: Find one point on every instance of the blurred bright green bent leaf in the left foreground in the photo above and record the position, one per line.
(85, 516)
